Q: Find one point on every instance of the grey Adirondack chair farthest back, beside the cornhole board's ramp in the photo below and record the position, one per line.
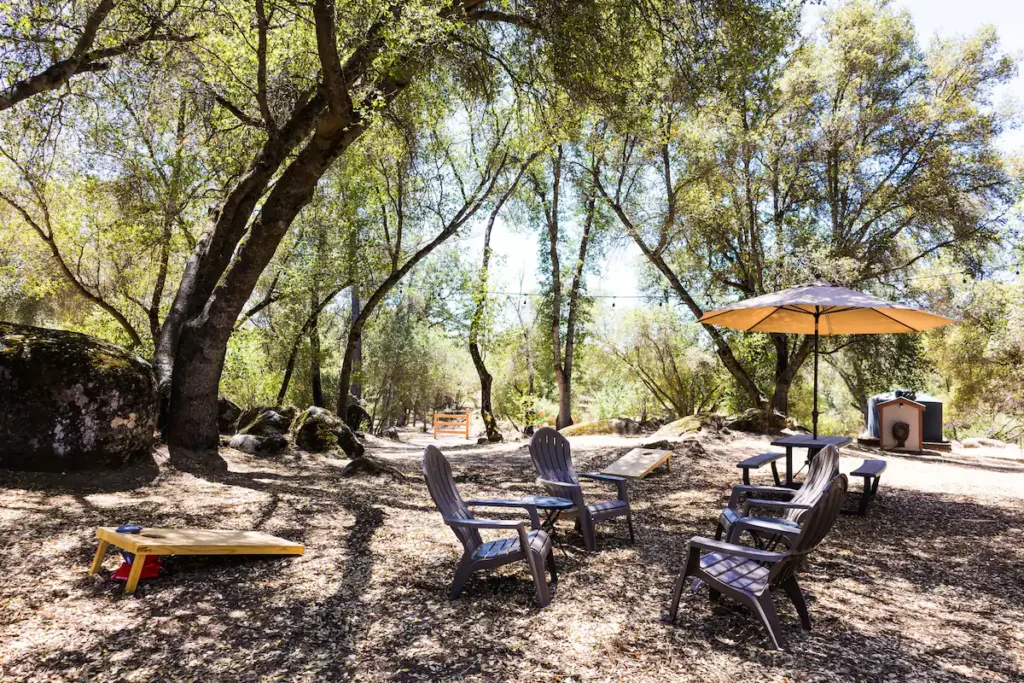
(553, 462)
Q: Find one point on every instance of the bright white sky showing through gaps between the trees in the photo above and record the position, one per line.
(619, 274)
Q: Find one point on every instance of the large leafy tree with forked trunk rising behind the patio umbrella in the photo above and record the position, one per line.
(854, 157)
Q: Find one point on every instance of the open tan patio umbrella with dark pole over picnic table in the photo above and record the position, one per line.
(823, 309)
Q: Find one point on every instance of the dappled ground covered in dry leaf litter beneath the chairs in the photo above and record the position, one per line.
(928, 587)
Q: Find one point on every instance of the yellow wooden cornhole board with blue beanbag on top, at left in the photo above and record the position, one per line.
(156, 541)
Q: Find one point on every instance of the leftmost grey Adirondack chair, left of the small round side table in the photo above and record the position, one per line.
(481, 556)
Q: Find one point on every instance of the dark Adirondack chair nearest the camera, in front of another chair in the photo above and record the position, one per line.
(750, 575)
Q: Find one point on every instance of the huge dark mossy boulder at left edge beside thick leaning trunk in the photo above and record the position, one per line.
(71, 402)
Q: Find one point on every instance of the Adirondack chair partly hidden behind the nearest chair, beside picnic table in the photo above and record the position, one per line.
(737, 518)
